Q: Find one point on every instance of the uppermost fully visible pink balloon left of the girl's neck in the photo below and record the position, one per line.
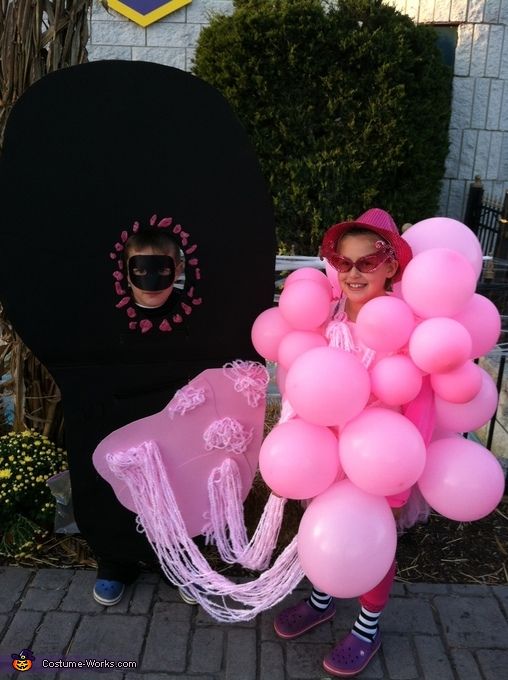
(305, 304)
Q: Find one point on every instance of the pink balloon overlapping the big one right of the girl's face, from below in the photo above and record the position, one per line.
(439, 345)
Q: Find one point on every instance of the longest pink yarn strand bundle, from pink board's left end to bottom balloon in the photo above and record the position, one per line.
(142, 470)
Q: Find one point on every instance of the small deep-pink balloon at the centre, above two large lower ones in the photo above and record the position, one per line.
(395, 380)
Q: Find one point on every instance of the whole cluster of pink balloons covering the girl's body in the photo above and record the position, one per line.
(351, 444)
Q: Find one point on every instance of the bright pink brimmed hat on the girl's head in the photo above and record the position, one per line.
(378, 221)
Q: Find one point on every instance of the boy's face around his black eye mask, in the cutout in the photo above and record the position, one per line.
(151, 298)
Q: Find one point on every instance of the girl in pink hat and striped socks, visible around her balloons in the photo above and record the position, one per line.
(368, 255)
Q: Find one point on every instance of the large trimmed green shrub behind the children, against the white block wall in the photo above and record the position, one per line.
(347, 106)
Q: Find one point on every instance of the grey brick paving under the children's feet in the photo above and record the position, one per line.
(430, 632)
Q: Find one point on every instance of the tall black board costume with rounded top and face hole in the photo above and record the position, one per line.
(91, 154)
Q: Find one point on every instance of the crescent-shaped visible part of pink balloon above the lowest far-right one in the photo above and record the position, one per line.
(471, 415)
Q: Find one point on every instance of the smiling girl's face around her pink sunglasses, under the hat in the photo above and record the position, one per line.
(358, 287)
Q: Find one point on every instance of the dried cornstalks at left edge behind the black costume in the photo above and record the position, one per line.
(36, 38)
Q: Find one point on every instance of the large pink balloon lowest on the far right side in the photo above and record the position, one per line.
(462, 480)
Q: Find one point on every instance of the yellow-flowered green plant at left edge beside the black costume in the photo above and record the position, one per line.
(27, 460)
